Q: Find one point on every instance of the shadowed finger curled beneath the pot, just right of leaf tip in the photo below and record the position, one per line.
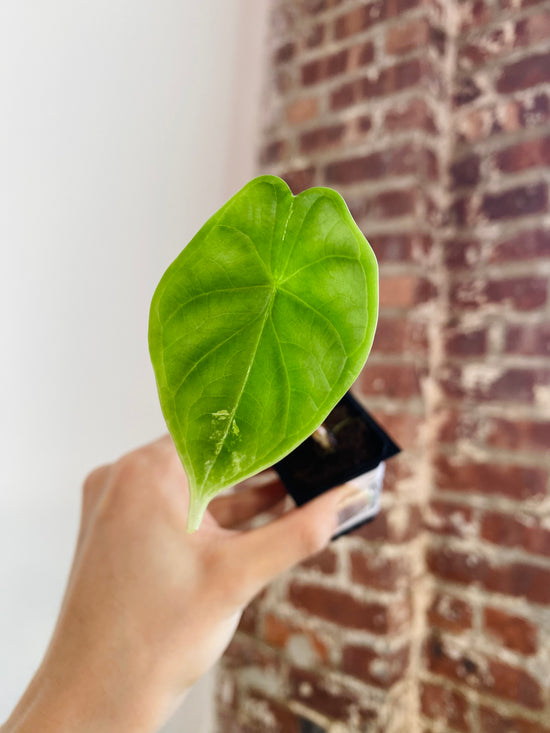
(230, 511)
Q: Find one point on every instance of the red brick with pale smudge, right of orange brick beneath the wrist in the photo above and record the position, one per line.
(381, 670)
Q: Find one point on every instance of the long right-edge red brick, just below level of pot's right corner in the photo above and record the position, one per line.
(515, 482)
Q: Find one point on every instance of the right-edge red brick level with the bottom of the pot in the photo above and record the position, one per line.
(508, 531)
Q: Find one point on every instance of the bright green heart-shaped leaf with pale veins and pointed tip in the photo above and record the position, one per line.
(258, 328)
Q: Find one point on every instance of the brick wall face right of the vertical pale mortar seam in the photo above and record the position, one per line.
(488, 652)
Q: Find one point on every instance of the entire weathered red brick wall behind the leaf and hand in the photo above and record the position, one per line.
(433, 120)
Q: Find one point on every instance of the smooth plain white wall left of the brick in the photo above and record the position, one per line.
(125, 124)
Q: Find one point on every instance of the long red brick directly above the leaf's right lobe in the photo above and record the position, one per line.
(393, 161)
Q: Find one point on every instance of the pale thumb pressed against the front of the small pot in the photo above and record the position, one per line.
(265, 552)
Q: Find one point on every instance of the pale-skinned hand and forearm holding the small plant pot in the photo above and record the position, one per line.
(149, 608)
